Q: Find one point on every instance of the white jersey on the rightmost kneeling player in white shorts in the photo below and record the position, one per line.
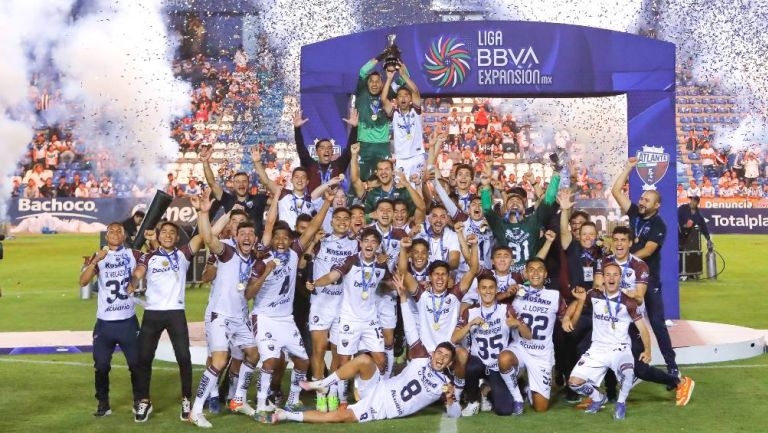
(611, 317)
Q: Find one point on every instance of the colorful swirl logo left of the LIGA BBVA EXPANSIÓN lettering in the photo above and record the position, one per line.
(447, 62)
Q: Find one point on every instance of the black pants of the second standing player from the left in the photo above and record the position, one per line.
(153, 325)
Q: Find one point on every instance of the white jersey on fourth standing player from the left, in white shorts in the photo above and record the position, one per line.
(275, 299)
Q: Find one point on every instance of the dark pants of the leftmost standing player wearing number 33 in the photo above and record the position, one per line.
(107, 335)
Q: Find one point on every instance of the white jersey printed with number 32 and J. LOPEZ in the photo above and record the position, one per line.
(538, 308)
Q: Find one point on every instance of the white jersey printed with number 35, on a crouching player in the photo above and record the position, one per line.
(489, 339)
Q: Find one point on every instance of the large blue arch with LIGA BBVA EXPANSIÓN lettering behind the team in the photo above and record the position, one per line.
(540, 60)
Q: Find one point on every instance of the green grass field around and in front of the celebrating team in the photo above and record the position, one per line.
(54, 393)
